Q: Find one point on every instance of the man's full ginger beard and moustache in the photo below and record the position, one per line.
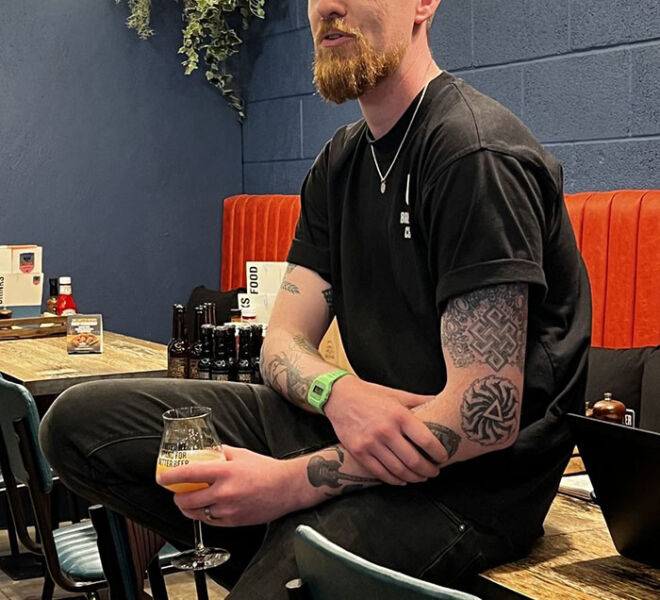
(346, 72)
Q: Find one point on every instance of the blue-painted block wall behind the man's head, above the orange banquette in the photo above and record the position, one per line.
(584, 75)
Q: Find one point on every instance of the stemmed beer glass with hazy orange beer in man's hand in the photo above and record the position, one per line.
(189, 437)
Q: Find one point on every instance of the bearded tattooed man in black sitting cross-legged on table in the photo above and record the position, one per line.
(434, 228)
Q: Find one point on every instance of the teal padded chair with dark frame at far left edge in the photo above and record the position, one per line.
(71, 553)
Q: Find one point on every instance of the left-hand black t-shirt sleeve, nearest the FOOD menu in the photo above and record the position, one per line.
(310, 246)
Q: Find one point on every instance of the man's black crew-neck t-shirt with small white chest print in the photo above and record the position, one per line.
(472, 200)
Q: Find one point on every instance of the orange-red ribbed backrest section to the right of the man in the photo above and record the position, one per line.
(618, 234)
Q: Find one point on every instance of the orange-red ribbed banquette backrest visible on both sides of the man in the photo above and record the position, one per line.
(617, 232)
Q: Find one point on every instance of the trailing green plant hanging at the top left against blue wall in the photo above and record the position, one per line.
(206, 31)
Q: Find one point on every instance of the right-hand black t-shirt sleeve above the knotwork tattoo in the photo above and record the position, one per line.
(484, 221)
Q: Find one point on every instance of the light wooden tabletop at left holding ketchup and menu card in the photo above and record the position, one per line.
(43, 366)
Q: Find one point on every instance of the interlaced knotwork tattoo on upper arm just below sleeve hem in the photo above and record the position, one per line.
(487, 326)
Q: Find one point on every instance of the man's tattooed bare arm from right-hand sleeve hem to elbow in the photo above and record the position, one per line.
(484, 336)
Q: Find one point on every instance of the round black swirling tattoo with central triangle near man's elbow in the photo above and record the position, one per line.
(488, 412)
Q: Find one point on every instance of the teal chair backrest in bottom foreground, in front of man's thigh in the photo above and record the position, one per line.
(330, 572)
